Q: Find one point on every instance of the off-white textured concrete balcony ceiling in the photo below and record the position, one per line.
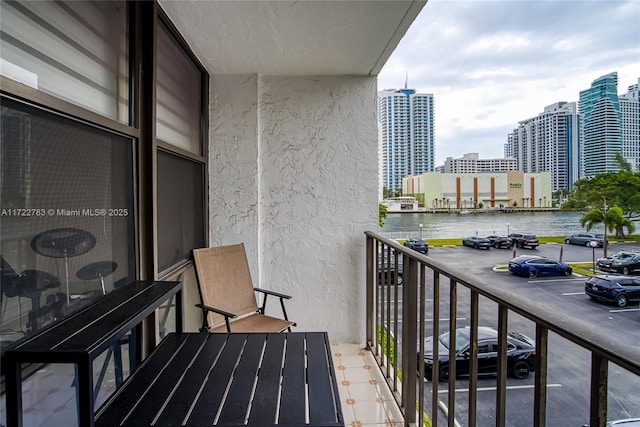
(310, 37)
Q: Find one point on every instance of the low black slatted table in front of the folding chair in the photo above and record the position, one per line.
(257, 379)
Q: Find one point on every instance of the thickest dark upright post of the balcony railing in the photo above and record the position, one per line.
(409, 338)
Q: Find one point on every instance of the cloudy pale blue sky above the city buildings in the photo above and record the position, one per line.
(491, 64)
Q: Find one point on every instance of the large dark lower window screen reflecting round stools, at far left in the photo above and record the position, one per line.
(67, 220)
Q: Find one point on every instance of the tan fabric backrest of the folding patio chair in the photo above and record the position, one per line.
(224, 281)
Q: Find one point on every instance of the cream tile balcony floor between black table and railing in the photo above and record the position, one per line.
(364, 394)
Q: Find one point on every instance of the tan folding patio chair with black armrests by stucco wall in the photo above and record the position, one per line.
(227, 293)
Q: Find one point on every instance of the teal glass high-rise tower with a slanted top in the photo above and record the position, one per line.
(600, 126)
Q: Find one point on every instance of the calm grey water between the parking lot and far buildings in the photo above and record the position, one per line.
(483, 224)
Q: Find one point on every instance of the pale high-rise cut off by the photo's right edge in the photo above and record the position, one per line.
(630, 123)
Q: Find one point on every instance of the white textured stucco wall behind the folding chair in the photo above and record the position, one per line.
(294, 175)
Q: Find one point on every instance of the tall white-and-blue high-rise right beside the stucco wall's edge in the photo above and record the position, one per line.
(406, 135)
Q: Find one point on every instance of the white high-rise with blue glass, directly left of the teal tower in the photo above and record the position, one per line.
(549, 142)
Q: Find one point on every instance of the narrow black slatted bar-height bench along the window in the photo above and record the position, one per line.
(81, 337)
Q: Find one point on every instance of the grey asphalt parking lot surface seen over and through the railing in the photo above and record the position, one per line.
(568, 365)
